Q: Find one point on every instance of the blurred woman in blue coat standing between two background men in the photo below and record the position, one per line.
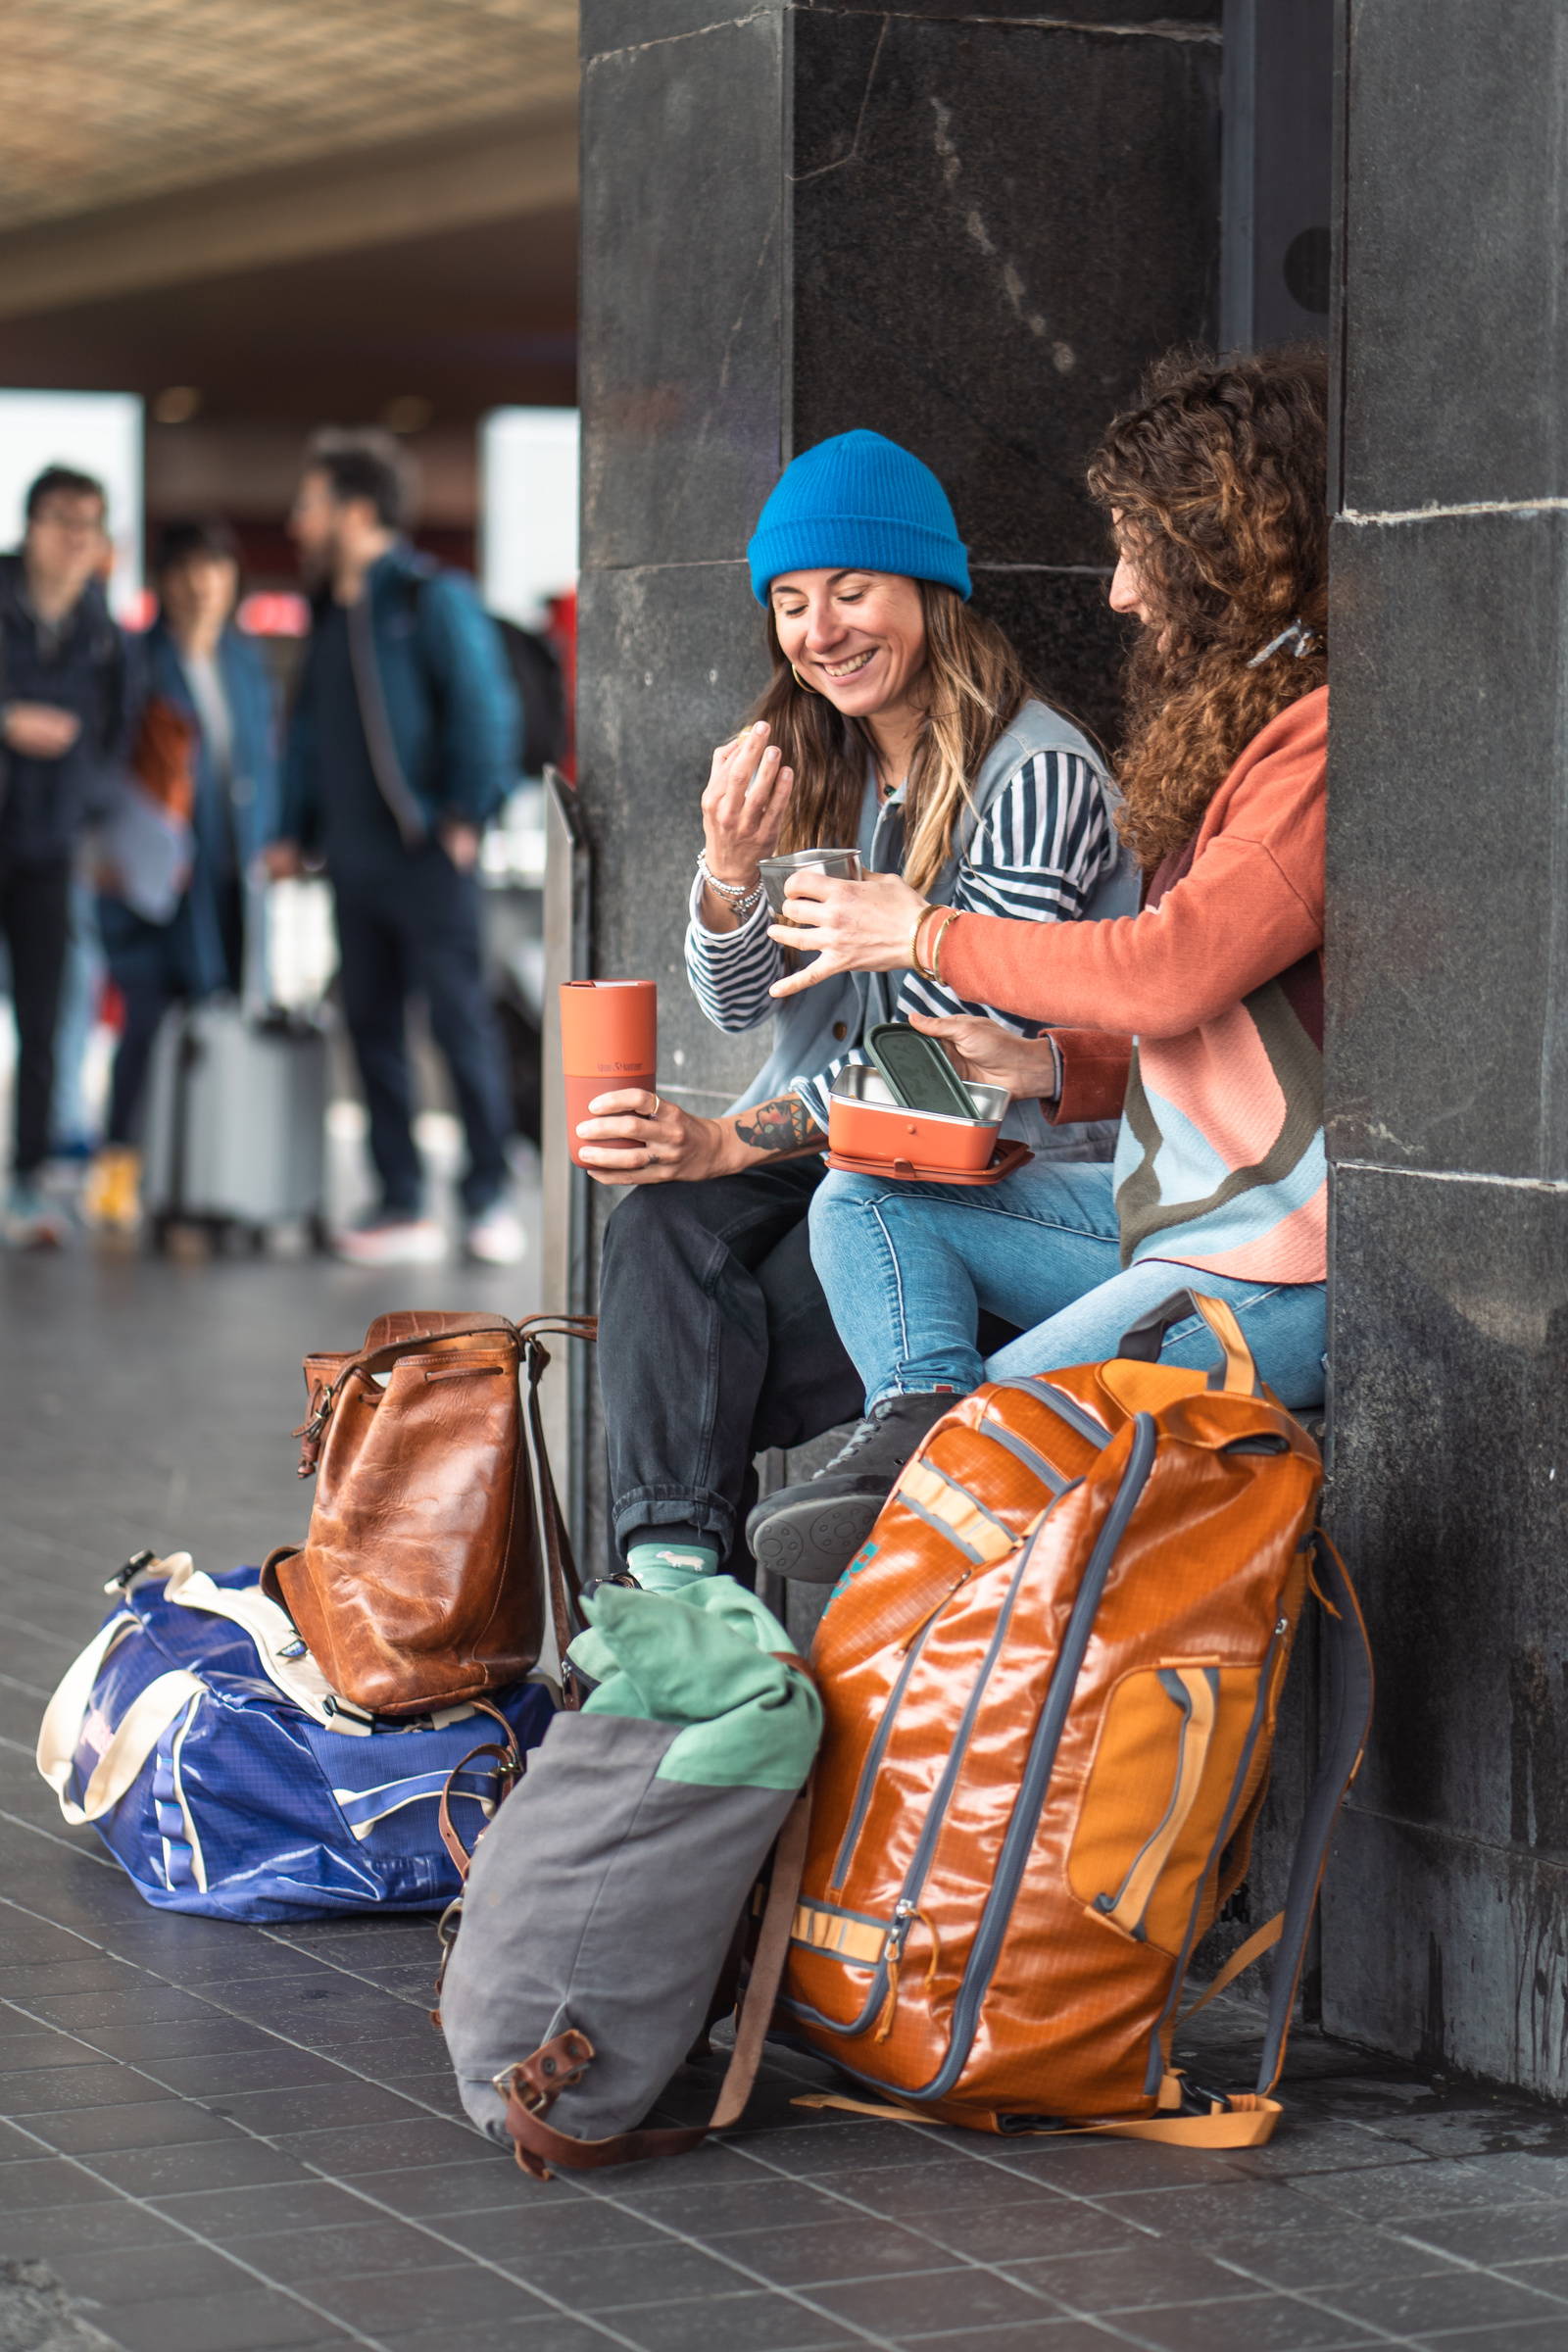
(208, 754)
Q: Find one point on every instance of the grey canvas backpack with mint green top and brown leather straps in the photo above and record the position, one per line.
(617, 1880)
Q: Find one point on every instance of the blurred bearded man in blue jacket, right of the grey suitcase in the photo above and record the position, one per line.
(401, 747)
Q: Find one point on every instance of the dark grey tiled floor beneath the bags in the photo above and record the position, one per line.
(229, 2139)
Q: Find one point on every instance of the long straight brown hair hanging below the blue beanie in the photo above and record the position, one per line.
(974, 688)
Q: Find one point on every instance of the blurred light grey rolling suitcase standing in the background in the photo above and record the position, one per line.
(236, 1125)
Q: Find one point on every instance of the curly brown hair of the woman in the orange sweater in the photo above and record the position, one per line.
(1219, 481)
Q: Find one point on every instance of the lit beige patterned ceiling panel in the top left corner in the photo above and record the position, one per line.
(121, 100)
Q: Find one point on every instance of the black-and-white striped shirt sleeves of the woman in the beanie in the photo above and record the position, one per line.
(1036, 857)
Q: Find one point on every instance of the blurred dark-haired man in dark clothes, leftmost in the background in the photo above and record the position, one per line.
(65, 714)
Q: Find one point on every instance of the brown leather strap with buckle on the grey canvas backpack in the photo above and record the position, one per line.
(563, 2062)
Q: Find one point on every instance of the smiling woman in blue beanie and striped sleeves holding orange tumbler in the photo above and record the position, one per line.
(902, 723)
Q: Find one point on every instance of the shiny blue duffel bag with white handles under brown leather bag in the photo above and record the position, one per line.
(201, 1742)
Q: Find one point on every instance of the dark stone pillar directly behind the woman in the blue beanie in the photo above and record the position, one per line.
(956, 225)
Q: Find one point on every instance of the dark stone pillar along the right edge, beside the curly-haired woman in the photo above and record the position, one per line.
(1449, 1031)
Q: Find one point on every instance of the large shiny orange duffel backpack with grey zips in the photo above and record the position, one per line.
(1052, 1681)
